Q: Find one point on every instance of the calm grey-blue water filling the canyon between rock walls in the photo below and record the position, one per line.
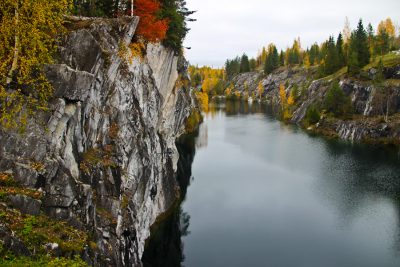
(263, 193)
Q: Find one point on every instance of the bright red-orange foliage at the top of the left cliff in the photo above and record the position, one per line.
(150, 27)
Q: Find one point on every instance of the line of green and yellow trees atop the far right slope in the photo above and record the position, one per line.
(352, 49)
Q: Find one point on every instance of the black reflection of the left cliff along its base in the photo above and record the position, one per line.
(164, 247)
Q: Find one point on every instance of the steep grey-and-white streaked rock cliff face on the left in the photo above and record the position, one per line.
(105, 154)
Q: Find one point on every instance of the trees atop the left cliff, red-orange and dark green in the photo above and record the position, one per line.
(161, 20)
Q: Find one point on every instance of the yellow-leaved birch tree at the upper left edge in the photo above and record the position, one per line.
(28, 32)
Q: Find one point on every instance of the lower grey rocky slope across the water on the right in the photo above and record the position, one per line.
(366, 123)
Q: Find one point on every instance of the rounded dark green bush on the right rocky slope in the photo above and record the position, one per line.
(336, 101)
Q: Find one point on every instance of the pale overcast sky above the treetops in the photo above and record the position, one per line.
(226, 28)
